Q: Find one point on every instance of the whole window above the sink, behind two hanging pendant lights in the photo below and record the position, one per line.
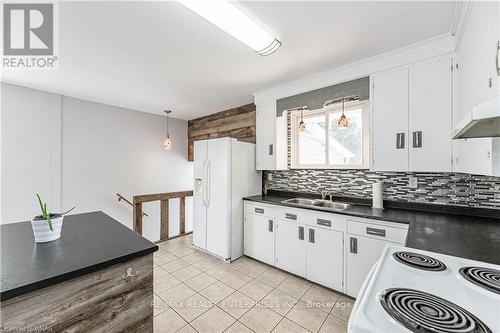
(324, 145)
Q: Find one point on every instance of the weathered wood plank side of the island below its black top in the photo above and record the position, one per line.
(103, 301)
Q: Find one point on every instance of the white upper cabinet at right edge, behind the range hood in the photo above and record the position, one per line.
(477, 81)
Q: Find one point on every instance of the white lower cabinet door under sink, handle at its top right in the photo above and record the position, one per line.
(291, 247)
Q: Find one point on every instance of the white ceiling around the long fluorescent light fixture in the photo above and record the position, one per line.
(154, 55)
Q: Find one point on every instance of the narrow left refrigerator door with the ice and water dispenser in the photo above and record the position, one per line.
(199, 193)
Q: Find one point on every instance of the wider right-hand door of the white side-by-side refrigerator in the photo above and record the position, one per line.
(218, 197)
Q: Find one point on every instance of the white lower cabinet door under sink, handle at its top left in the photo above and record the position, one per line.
(325, 257)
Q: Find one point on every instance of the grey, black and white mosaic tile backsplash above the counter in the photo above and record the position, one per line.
(439, 188)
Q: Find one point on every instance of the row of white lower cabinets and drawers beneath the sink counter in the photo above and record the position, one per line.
(330, 249)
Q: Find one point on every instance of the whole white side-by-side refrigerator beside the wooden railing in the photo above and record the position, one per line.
(224, 173)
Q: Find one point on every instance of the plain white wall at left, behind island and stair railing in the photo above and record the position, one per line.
(102, 149)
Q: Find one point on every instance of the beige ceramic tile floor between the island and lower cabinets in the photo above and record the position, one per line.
(195, 292)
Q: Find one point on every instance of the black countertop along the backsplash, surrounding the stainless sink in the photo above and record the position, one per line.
(466, 236)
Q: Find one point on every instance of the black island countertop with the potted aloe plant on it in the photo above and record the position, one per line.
(89, 242)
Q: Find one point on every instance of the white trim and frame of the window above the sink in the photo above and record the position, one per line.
(295, 118)
